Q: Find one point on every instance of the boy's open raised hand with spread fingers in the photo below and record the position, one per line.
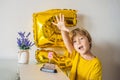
(61, 23)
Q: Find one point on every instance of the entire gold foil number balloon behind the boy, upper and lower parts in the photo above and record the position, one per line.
(47, 35)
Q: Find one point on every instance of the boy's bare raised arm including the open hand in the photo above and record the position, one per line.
(64, 32)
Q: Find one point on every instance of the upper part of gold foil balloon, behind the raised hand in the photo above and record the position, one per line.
(45, 33)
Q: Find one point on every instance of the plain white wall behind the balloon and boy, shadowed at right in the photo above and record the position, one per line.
(100, 17)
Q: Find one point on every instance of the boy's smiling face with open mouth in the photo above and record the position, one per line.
(81, 44)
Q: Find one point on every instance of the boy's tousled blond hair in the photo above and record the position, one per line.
(83, 32)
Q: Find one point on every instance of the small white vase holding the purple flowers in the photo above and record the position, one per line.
(23, 56)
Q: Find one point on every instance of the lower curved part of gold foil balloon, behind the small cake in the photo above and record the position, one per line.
(63, 61)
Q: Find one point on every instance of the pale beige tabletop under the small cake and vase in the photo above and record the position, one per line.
(32, 72)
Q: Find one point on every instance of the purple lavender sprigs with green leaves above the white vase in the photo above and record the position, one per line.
(23, 41)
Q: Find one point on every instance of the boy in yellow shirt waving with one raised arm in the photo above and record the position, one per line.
(85, 65)
